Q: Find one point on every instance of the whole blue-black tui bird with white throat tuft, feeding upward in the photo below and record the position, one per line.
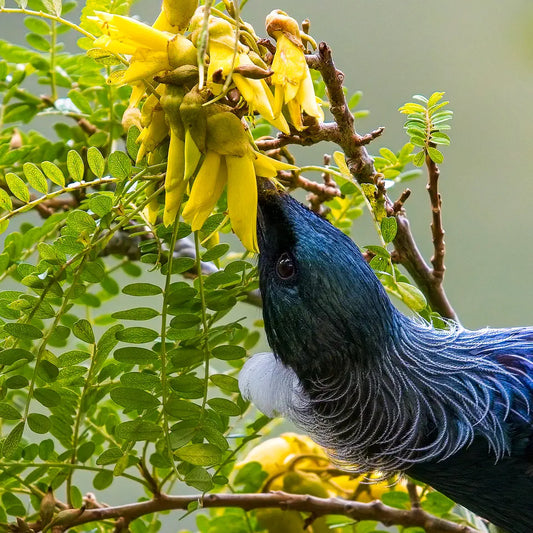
(452, 408)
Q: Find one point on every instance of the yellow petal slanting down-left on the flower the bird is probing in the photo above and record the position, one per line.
(206, 190)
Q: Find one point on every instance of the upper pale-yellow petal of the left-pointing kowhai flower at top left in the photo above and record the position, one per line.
(132, 31)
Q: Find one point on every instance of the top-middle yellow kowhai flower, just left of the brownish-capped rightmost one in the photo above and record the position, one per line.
(223, 61)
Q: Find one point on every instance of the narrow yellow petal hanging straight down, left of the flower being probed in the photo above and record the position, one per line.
(174, 181)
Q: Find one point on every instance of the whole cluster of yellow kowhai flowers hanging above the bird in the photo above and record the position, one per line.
(197, 124)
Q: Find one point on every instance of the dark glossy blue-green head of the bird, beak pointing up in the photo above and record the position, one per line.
(318, 291)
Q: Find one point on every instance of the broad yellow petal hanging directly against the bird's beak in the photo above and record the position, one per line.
(242, 199)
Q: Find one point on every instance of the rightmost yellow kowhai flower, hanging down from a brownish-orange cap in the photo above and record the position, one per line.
(292, 81)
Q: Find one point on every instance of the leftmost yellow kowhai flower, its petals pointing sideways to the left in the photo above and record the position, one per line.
(151, 50)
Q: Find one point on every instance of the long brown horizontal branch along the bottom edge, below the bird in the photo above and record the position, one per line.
(294, 502)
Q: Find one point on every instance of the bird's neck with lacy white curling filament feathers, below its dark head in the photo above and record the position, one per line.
(424, 395)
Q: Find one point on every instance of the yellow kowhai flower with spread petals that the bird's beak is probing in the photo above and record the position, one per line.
(229, 160)
